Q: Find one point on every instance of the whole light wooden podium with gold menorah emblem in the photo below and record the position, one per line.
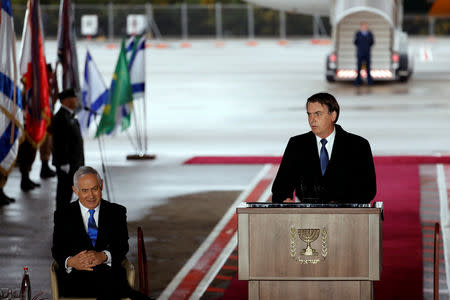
(309, 253)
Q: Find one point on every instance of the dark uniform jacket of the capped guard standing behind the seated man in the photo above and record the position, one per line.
(67, 140)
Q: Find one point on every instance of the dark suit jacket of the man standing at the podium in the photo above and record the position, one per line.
(349, 177)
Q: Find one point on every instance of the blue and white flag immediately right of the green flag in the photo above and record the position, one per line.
(135, 48)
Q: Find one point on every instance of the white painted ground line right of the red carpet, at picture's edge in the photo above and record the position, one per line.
(443, 199)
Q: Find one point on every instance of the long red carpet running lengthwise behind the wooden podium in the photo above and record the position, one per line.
(399, 189)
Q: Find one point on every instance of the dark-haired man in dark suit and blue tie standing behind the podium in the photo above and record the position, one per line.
(326, 164)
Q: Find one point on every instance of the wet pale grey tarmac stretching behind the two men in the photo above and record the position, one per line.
(231, 100)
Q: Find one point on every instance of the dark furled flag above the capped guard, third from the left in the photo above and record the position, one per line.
(67, 51)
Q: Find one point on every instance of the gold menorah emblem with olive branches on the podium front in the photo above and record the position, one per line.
(308, 255)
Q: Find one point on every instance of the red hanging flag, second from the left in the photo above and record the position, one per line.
(33, 71)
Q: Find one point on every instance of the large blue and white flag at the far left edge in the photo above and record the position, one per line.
(11, 114)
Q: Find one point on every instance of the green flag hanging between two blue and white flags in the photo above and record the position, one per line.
(119, 97)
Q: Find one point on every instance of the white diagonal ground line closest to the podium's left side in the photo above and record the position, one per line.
(215, 268)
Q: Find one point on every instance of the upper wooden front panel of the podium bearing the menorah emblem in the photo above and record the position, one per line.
(309, 244)
